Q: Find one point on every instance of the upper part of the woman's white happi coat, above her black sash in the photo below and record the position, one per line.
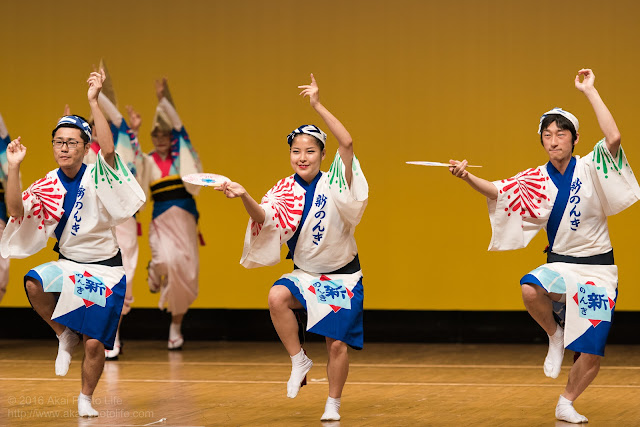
(326, 241)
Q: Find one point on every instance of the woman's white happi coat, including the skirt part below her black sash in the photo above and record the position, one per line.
(326, 241)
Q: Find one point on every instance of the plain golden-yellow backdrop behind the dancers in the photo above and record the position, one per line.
(411, 80)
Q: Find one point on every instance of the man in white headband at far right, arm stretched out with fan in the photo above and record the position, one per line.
(573, 296)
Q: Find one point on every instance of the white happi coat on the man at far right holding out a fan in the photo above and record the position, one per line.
(602, 185)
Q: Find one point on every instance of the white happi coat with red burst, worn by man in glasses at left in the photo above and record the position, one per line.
(106, 197)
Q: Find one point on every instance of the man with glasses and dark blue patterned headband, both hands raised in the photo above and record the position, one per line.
(80, 295)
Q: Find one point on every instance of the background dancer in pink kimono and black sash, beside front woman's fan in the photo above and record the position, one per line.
(173, 232)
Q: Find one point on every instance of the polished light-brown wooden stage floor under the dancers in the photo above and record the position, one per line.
(243, 383)
